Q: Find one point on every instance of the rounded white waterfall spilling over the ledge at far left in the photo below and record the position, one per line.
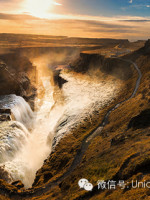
(14, 134)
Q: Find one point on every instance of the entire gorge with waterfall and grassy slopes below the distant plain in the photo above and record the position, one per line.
(73, 113)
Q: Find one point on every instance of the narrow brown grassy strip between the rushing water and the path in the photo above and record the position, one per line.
(61, 159)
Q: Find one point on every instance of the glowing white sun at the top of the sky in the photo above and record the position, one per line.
(39, 8)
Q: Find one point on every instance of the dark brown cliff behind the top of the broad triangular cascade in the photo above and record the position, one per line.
(112, 66)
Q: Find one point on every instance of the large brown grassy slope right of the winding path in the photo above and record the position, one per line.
(117, 153)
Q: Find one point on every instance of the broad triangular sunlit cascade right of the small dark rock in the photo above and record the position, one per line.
(83, 96)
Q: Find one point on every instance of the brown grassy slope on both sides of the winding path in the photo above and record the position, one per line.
(116, 153)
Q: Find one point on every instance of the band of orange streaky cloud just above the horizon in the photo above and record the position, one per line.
(130, 27)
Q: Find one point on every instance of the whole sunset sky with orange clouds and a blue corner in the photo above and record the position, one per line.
(128, 19)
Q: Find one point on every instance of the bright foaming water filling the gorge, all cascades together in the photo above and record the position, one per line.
(81, 95)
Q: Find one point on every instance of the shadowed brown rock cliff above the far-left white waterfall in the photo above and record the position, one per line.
(17, 76)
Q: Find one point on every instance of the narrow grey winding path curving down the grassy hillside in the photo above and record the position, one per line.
(84, 146)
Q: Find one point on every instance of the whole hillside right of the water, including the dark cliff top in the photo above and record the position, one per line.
(119, 152)
